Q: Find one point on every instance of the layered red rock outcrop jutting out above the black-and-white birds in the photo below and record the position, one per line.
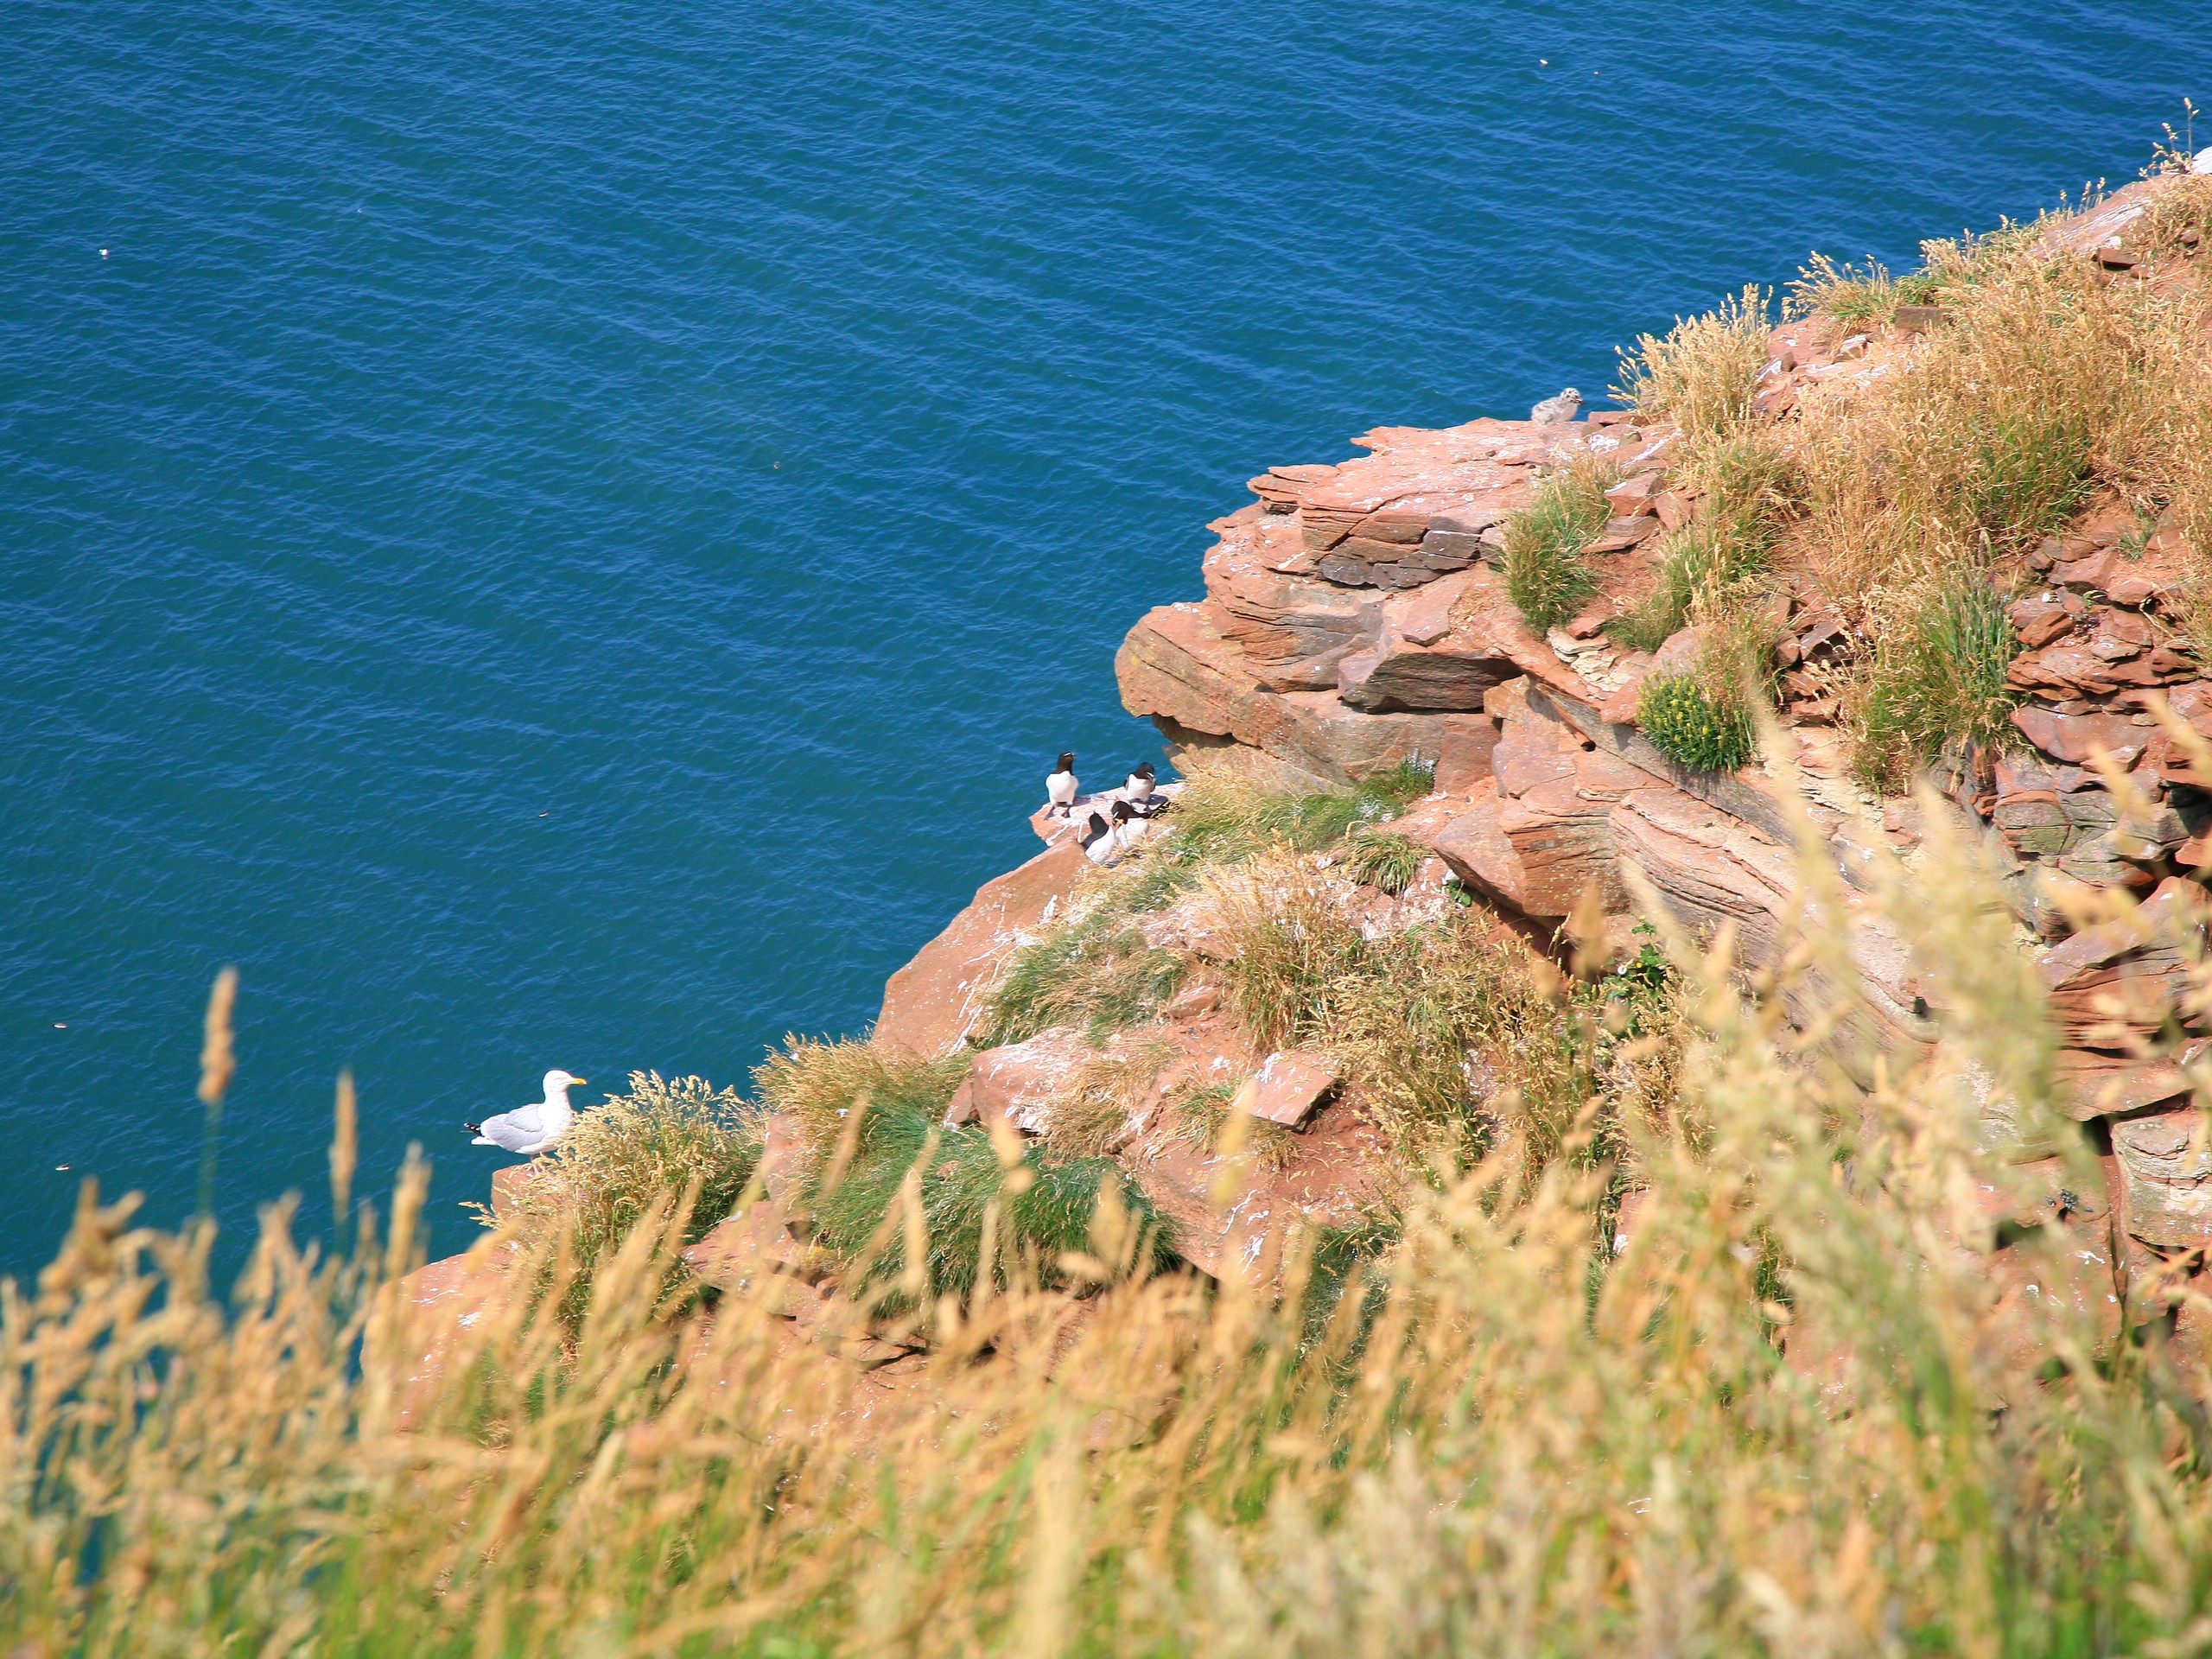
(1355, 616)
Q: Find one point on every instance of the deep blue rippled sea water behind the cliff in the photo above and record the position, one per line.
(570, 534)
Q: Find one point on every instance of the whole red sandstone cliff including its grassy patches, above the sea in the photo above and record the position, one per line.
(1368, 638)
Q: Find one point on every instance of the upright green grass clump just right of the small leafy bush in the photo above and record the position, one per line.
(1939, 674)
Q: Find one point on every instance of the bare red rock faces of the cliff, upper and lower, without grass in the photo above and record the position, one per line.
(1359, 618)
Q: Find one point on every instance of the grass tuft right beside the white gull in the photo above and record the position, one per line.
(665, 1136)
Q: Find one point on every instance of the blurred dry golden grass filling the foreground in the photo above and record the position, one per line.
(1505, 1441)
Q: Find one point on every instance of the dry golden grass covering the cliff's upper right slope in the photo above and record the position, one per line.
(2047, 388)
